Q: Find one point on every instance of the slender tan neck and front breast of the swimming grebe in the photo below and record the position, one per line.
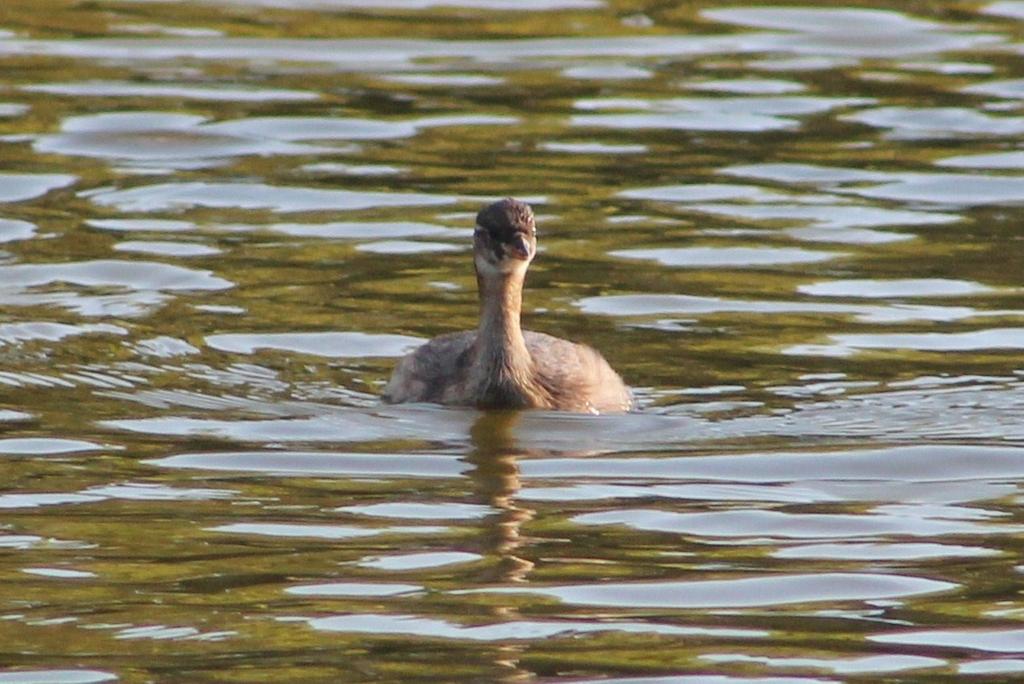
(503, 362)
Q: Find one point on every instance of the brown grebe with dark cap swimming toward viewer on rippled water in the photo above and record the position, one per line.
(499, 365)
